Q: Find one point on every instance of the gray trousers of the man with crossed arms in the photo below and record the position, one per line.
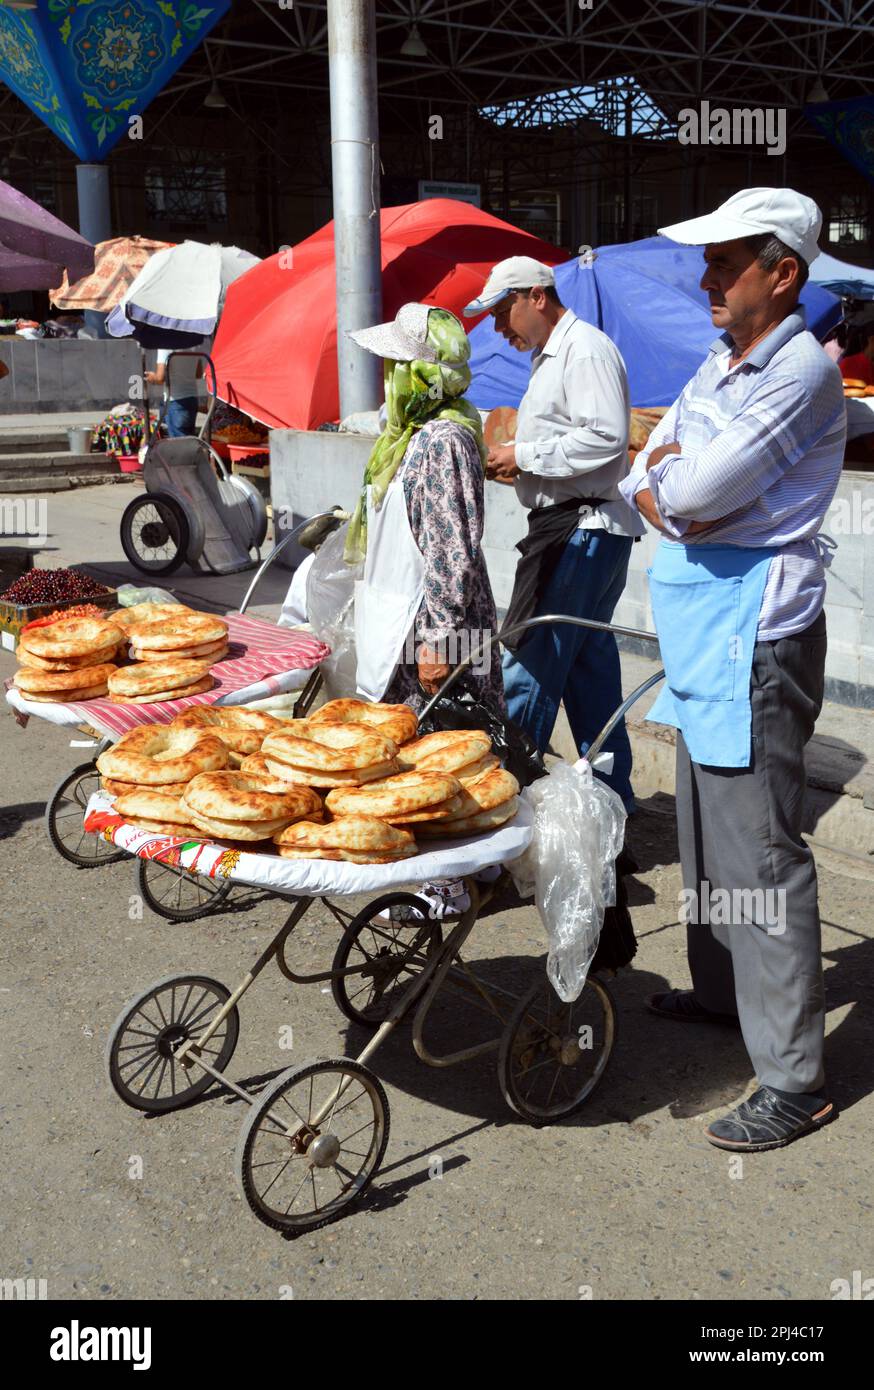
(750, 879)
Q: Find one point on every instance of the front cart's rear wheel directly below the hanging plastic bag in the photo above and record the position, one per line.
(552, 1054)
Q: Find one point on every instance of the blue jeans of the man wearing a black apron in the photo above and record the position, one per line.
(576, 665)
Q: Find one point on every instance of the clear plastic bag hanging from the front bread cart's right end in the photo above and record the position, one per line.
(570, 868)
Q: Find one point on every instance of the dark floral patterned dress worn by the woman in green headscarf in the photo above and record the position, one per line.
(444, 489)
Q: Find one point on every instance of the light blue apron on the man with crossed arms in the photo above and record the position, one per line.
(707, 604)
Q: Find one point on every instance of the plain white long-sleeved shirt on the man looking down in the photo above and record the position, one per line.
(572, 434)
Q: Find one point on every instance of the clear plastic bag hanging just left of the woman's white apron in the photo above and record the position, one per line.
(331, 612)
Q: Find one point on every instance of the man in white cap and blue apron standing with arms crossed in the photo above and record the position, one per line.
(739, 477)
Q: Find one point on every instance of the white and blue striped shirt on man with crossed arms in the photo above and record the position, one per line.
(762, 447)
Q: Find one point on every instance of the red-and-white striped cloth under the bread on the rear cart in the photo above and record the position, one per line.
(261, 654)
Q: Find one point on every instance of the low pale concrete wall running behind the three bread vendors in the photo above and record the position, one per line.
(313, 472)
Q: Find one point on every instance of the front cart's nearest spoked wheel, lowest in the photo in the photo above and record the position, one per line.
(298, 1175)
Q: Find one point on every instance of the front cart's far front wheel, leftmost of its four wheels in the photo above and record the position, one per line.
(151, 1031)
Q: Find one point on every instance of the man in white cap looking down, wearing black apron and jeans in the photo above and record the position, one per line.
(566, 464)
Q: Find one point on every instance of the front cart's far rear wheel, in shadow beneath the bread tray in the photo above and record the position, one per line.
(390, 954)
